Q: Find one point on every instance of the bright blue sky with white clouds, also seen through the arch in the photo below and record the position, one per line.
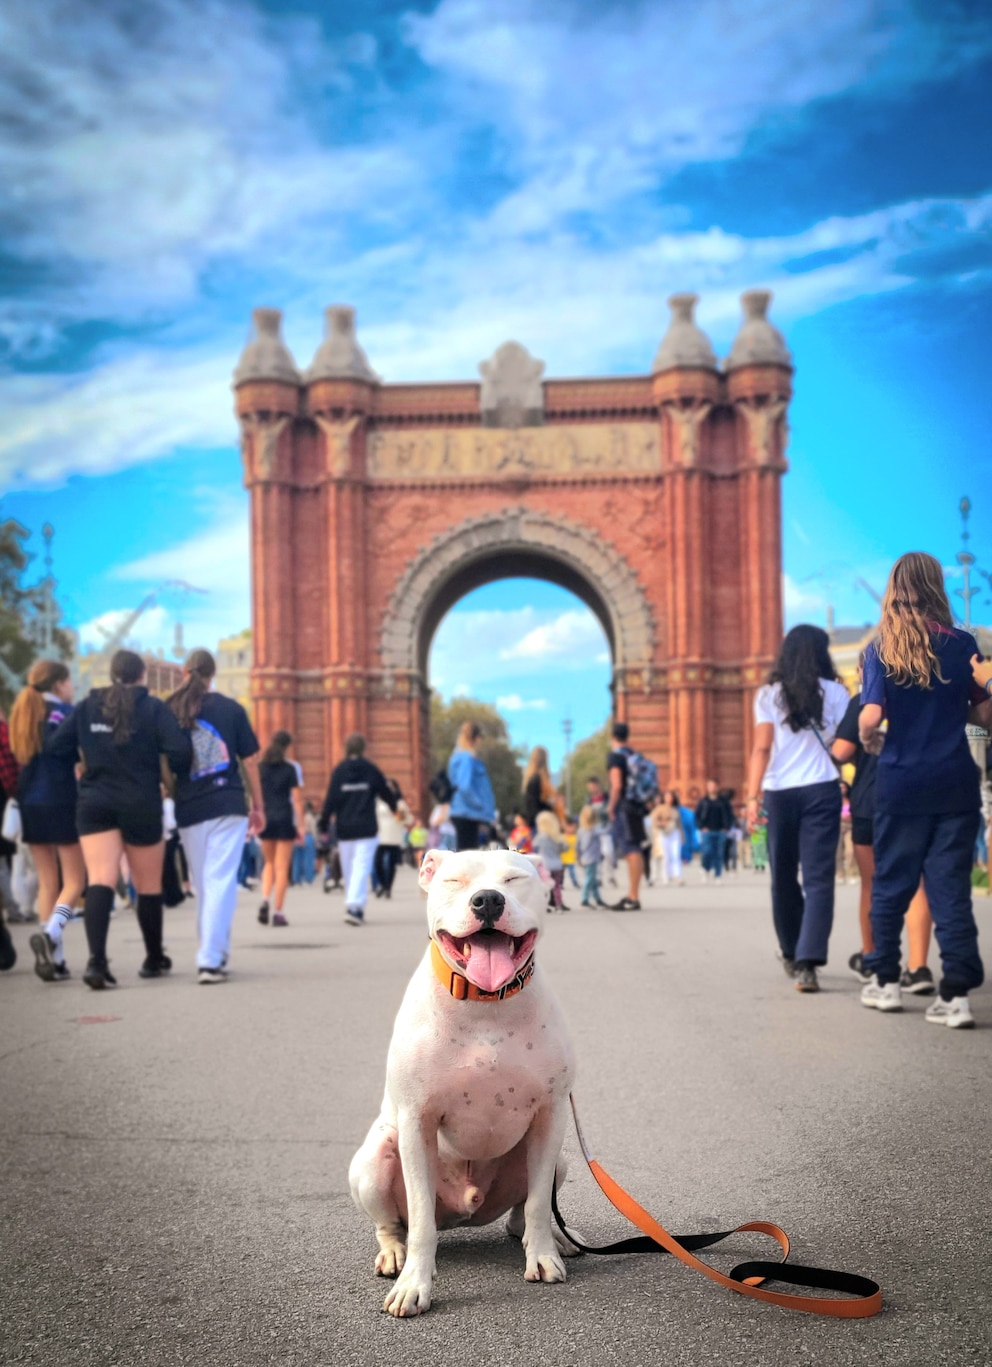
(468, 172)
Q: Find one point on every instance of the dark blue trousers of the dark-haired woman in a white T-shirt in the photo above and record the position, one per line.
(804, 829)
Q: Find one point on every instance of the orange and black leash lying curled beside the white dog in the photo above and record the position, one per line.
(862, 1297)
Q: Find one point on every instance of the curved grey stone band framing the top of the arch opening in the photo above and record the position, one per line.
(584, 561)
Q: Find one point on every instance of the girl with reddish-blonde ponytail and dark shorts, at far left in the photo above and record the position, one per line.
(47, 798)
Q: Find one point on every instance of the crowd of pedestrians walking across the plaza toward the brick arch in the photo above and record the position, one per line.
(156, 800)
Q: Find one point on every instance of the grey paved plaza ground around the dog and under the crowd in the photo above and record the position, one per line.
(174, 1157)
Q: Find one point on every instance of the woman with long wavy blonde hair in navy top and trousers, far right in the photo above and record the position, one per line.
(919, 679)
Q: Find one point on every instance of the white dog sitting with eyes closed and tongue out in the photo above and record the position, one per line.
(478, 1081)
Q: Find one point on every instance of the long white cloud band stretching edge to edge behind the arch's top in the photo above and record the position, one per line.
(141, 407)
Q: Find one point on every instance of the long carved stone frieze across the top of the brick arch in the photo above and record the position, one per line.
(616, 449)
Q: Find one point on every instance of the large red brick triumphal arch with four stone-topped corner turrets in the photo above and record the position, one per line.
(376, 506)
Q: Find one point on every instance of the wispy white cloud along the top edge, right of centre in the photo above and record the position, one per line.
(603, 103)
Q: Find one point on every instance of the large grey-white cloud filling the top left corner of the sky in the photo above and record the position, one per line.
(151, 141)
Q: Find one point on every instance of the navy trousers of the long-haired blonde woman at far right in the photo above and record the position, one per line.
(941, 850)
